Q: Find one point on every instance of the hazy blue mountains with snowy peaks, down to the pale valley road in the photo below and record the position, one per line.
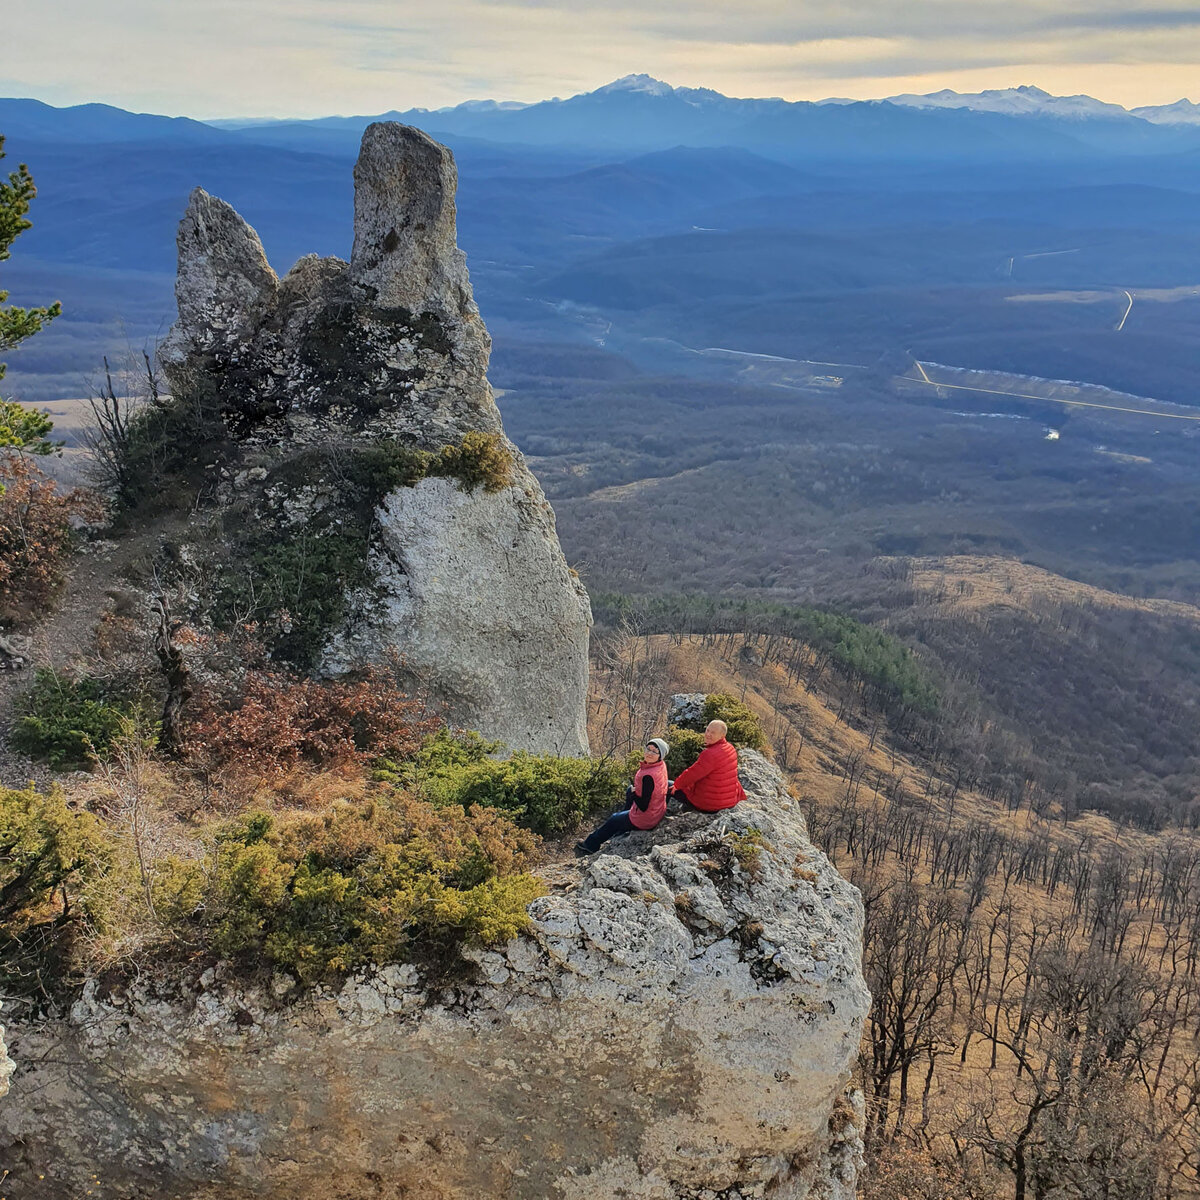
(1000, 230)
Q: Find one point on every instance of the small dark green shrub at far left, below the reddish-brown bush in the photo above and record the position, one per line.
(69, 721)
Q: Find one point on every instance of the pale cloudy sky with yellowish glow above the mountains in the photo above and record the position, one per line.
(304, 58)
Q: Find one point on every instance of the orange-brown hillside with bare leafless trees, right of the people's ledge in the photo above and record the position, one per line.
(1035, 971)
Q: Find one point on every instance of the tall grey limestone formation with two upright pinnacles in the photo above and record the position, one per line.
(323, 382)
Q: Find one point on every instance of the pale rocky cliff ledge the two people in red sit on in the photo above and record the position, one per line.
(680, 1023)
